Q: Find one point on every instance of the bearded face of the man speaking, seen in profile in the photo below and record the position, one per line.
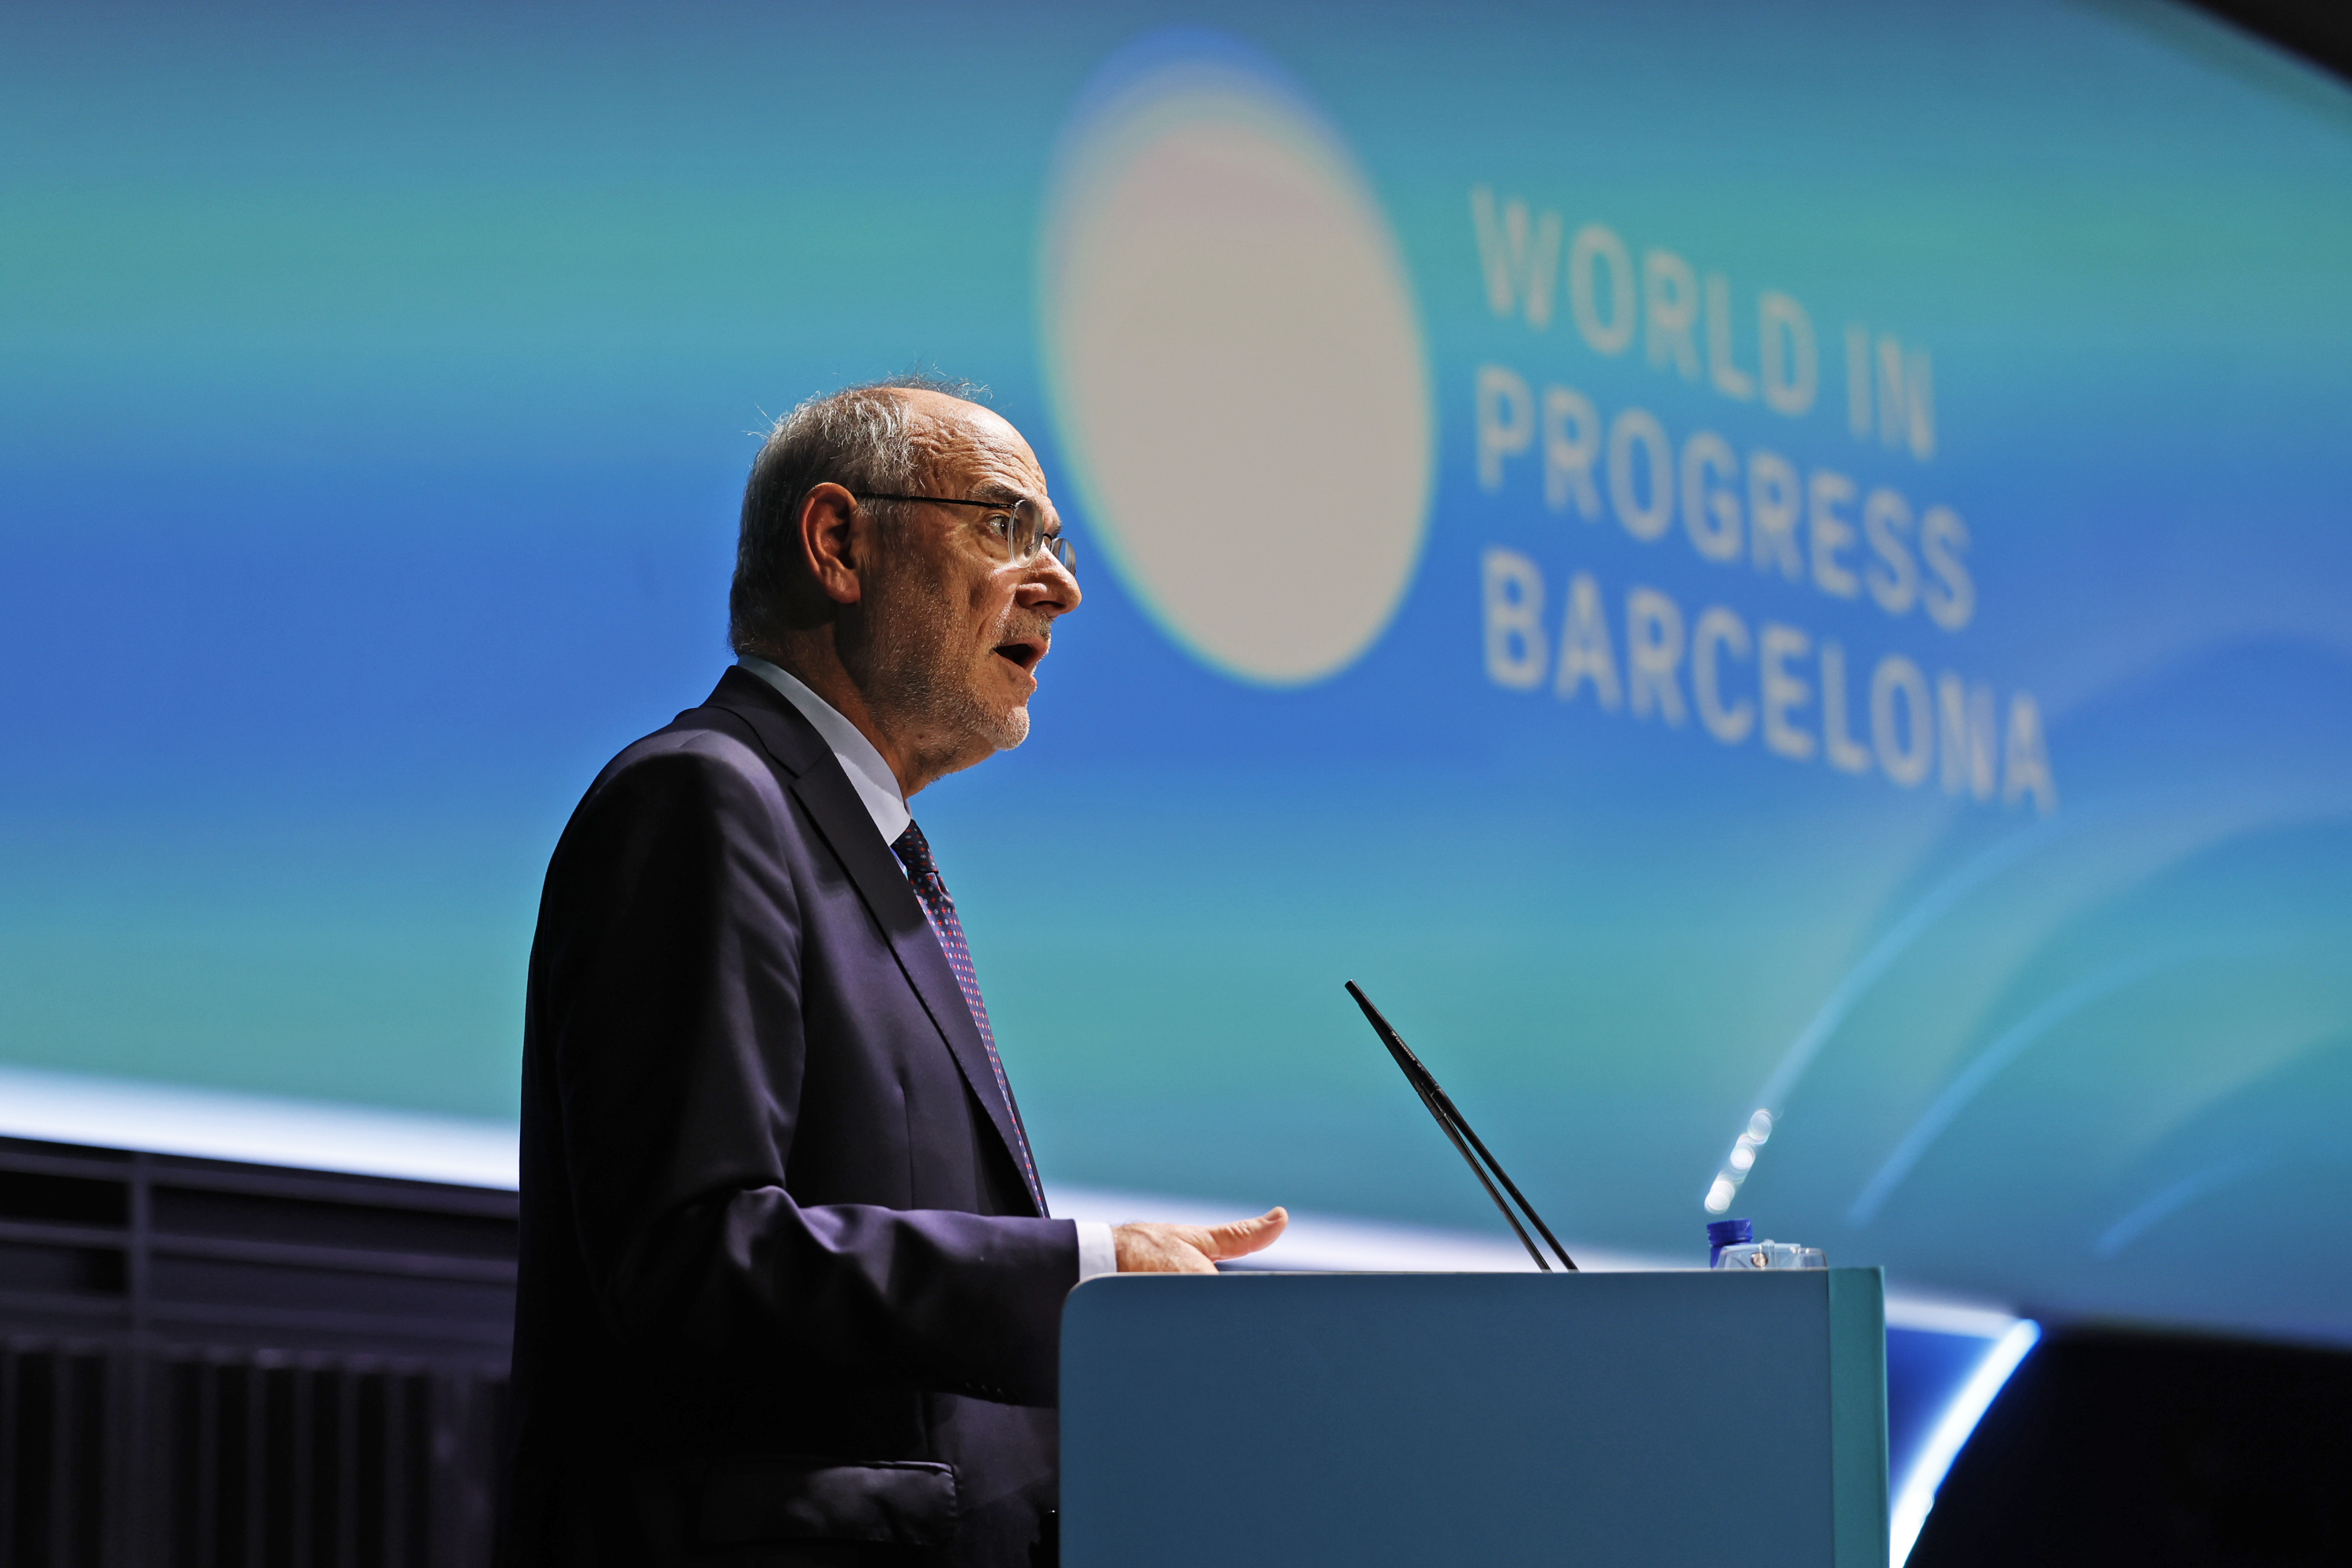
(956, 626)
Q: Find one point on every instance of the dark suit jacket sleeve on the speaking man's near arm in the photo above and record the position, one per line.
(667, 991)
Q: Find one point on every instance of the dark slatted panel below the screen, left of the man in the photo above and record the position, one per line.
(239, 1367)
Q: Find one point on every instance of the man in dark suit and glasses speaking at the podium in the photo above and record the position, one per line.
(789, 1287)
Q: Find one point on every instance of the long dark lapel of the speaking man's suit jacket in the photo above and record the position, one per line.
(817, 782)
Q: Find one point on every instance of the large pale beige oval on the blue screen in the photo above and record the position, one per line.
(1236, 366)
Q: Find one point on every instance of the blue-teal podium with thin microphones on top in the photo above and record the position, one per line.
(1476, 1419)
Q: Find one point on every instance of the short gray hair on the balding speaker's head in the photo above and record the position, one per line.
(860, 438)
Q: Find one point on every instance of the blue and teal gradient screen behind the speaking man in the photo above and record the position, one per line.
(377, 387)
